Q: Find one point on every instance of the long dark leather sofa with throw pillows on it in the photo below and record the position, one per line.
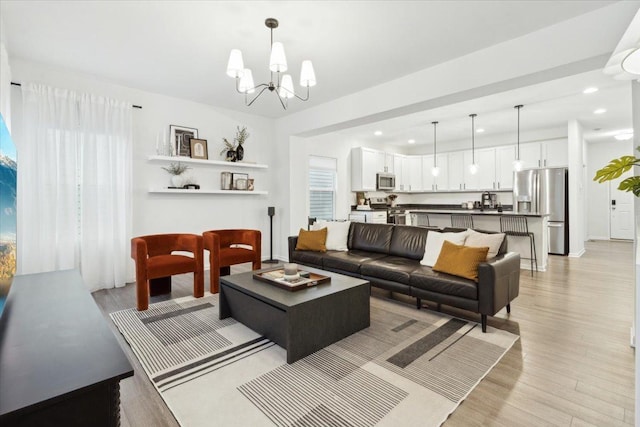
(388, 256)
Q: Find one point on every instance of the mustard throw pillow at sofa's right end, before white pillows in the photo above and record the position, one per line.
(460, 260)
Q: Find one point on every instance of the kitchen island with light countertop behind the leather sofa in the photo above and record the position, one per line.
(490, 220)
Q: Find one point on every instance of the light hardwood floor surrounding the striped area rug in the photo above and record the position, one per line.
(573, 365)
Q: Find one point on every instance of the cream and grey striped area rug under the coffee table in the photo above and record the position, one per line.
(410, 367)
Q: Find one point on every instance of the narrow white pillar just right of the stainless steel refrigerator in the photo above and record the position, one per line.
(576, 189)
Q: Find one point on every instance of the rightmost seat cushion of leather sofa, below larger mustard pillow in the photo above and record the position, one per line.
(427, 279)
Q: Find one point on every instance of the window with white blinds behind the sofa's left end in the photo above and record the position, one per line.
(322, 187)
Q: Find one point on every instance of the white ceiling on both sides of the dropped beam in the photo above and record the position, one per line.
(180, 49)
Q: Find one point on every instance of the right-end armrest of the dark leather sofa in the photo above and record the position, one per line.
(498, 282)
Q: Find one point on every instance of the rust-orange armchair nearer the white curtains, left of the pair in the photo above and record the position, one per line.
(154, 260)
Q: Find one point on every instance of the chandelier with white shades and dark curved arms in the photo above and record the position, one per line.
(281, 84)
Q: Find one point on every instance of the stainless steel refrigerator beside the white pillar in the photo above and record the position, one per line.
(545, 191)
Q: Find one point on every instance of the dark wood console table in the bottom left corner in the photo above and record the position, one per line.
(60, 364)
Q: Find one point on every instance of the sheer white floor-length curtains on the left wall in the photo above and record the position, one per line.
(74, 185)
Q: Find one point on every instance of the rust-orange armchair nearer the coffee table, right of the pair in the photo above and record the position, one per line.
(224, 251)
